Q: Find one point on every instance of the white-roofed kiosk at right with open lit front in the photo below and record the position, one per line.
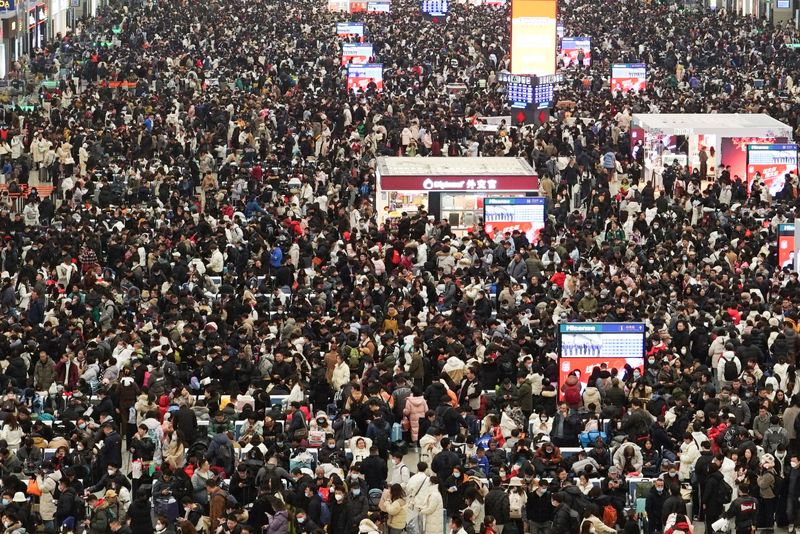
(702, 141)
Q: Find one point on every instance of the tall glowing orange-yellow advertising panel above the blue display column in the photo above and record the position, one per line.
(533, 37)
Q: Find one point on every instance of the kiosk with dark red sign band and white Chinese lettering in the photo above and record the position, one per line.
(451, 189)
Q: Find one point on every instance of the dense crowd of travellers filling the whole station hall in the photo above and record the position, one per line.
(205, 327)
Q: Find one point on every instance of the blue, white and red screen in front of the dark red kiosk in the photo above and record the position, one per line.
(526, 214)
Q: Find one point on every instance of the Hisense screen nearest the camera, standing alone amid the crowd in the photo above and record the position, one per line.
(584, 346)
